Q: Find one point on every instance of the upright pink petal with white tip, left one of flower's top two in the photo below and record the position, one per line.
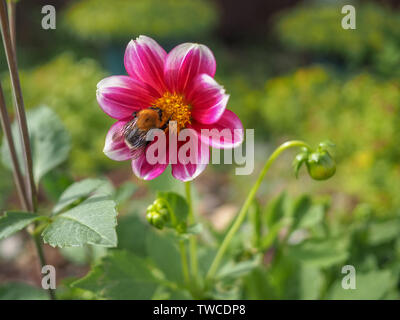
(144, 61)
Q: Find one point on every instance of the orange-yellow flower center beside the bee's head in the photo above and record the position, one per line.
(174, 108)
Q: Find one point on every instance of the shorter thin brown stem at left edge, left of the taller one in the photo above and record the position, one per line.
(6, 124)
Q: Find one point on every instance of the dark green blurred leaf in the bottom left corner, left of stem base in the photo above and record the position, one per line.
(21, 291)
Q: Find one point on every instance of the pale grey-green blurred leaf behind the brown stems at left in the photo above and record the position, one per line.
(50, 142)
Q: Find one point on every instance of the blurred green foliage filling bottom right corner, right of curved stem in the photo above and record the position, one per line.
(305, 246)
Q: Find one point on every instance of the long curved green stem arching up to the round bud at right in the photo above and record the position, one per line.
(242, 214)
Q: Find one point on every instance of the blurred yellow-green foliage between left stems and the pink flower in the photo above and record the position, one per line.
(68, 87)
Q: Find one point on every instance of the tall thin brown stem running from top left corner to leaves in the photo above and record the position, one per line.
(19, 105)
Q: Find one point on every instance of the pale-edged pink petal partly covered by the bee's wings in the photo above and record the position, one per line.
(115, 147)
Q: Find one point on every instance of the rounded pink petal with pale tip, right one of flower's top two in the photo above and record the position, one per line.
(185, 62)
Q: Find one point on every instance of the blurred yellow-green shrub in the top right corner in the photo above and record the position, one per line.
(318, 29)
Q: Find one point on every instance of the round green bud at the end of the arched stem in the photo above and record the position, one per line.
(321, 165)
